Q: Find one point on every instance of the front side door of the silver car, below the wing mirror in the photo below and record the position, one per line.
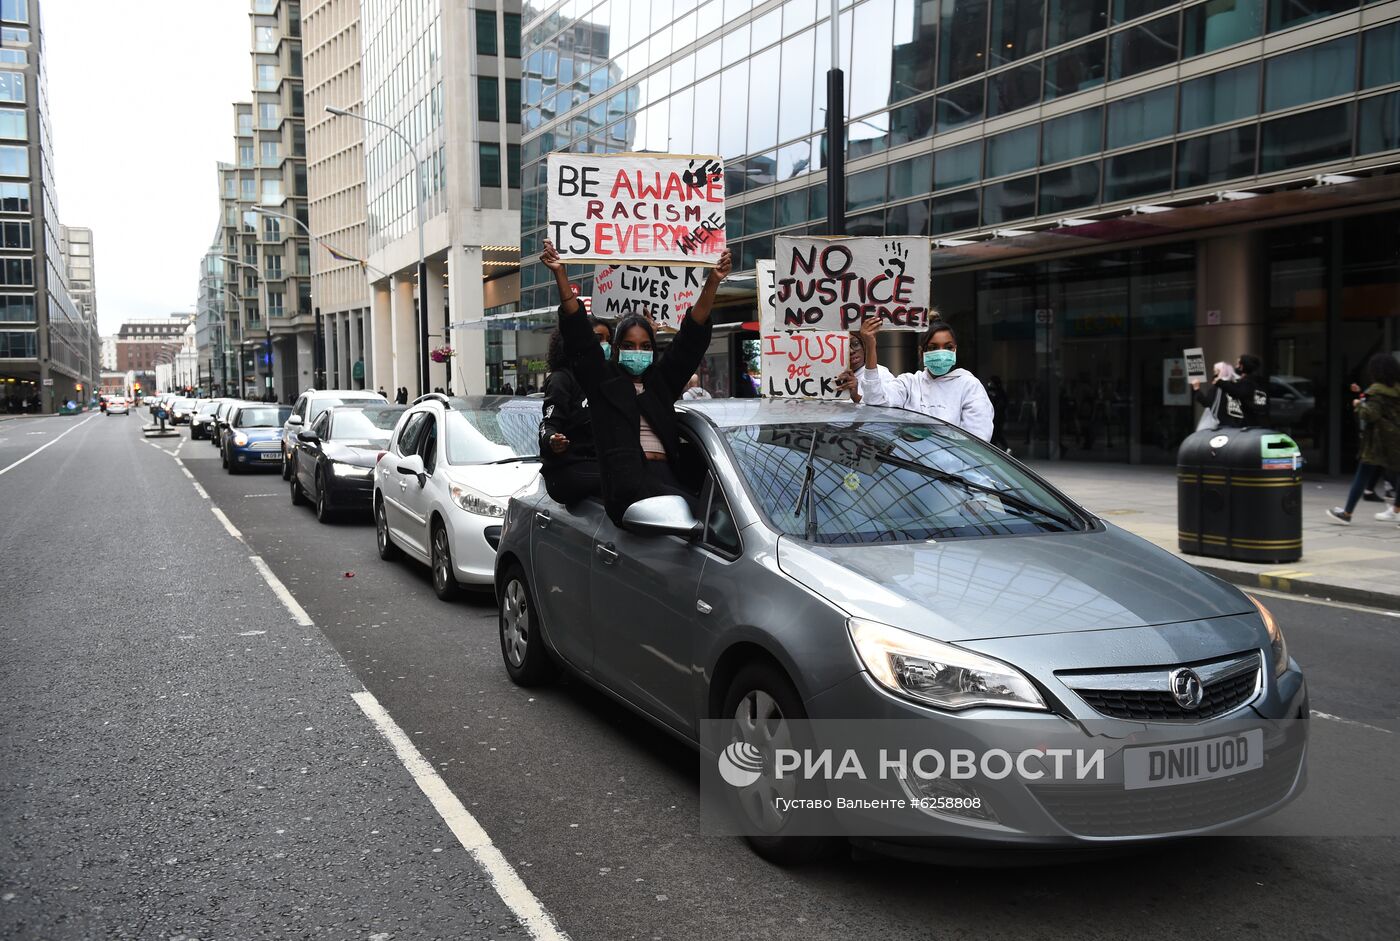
(646, 622)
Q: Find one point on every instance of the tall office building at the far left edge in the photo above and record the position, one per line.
(48, 342)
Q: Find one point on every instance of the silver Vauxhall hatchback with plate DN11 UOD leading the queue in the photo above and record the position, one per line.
(841, 568)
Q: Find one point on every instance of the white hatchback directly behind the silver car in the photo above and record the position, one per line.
(440, 491)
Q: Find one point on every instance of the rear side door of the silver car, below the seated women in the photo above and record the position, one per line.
(562, 552)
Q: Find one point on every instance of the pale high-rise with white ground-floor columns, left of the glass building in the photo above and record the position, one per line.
(446, 76)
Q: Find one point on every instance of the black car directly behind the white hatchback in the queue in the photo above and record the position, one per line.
(332, 466)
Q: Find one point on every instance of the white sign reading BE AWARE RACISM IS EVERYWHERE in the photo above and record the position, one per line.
(636, 208)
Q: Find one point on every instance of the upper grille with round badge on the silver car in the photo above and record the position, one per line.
(1146, 695)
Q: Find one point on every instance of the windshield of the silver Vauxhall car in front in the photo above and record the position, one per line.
(890, 482)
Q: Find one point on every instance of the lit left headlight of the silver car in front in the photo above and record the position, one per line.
(939, 674)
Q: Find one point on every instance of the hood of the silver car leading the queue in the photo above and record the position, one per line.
(1011, 586)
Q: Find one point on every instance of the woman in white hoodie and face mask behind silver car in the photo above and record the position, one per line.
(939, 390)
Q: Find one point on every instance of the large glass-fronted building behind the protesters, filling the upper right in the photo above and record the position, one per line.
(1105, 183)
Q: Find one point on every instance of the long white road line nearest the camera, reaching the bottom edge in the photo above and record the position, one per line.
(468, 832)
